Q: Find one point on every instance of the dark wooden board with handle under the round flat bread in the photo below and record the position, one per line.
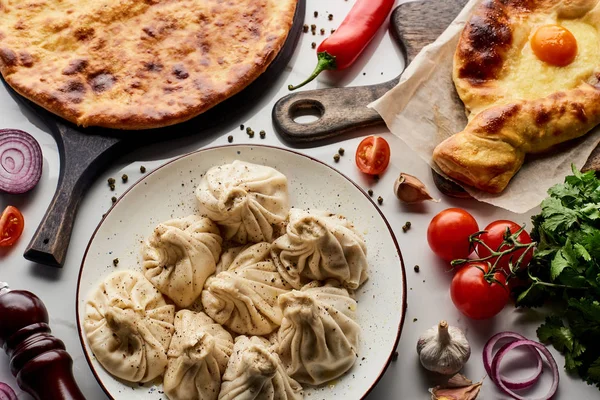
(86, 152)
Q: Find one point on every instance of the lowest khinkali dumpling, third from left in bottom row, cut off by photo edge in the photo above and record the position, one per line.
(255, 372)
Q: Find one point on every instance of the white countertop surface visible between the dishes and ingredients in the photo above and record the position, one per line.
(428, 294)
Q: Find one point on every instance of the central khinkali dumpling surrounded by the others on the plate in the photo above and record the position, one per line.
(244, 297)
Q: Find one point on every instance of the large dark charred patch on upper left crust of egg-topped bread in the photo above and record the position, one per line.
(485, 40)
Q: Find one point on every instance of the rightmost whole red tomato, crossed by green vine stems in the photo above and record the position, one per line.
(494, 236)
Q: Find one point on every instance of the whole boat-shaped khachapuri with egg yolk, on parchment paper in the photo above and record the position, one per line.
(528, 74)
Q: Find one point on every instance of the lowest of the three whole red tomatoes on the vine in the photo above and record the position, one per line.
(478, 297)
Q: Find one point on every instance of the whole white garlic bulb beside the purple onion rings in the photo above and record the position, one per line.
(443, 349)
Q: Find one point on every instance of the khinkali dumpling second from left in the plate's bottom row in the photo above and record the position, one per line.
(198, 356)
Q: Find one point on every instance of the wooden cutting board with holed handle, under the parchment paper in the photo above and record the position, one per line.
(413, 26)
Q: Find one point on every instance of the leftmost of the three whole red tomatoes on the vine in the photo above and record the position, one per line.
(448, 233)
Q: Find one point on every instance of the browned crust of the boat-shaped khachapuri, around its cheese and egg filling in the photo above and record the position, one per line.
(503, 129)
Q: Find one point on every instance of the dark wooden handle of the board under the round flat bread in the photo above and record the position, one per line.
(82, 157)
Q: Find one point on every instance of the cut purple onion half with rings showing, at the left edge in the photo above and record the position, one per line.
(20, 161)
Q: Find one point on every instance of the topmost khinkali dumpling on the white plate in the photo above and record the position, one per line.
(249, 201)
